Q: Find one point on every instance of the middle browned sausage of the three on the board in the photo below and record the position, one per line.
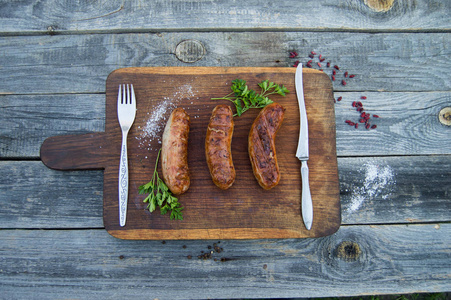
(218, 147)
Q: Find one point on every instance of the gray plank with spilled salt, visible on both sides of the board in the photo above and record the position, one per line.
(379, 190)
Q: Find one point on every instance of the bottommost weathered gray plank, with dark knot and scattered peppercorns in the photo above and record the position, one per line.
(357, 260)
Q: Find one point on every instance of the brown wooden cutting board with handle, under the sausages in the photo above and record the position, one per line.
(245, 211)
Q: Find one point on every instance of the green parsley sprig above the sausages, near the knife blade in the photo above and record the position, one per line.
(245, 98)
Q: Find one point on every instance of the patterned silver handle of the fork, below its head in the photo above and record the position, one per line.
(123, 181)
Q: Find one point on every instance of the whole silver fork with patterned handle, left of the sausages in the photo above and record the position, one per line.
(126, 112)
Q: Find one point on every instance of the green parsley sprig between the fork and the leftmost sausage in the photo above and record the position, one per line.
(159, 194)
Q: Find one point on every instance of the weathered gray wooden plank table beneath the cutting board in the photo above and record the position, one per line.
(395, 180)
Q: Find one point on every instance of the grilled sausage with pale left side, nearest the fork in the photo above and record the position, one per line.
(174, 152)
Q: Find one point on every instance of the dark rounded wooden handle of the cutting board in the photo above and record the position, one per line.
(75, 152)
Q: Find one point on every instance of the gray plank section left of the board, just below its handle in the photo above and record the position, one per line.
(33, 196)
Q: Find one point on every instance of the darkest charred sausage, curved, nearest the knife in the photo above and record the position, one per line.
(261, 146)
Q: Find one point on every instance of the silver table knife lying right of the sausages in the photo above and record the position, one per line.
(302, 151)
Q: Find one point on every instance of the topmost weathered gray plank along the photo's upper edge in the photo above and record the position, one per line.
(56, 16)
